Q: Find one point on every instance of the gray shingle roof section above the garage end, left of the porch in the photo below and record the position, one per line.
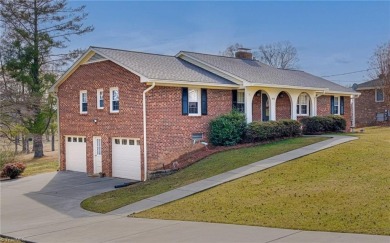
(161, 67)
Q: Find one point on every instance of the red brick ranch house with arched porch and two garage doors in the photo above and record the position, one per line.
(127, 113)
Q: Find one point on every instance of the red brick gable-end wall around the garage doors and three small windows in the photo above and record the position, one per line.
(126, 123)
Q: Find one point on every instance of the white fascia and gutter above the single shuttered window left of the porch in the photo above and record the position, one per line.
(180, 83)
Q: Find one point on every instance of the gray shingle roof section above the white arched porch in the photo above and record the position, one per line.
(256, 72)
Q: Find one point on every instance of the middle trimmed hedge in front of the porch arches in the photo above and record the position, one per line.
(261, 131)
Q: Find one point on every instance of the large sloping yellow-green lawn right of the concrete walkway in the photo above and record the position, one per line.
(343, 189)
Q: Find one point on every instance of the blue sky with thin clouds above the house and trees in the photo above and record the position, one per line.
(331, 37)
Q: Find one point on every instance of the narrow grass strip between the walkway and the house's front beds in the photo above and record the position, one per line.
(210, 166)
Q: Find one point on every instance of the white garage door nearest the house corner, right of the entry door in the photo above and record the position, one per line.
(126, 158)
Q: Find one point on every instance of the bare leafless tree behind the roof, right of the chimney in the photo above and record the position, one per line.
(280, 55)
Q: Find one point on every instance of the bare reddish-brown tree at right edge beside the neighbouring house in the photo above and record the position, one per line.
(380, 66)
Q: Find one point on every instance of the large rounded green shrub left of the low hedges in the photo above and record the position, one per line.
(228, 129)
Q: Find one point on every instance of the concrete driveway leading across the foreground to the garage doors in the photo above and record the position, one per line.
(45, 208)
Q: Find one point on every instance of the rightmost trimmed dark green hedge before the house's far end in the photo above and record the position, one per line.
(322, 124)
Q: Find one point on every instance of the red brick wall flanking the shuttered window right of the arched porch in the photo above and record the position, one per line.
(323, 108)
